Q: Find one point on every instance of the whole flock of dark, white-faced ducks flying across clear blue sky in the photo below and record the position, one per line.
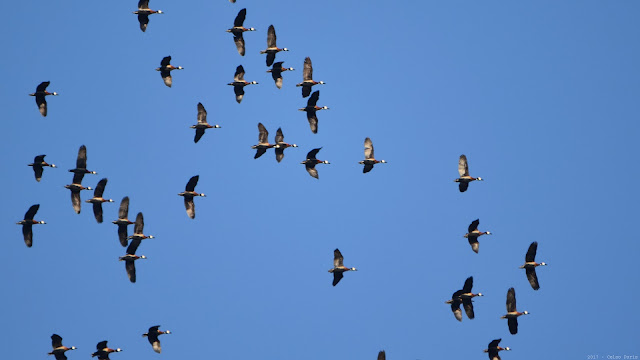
(463, 297)
